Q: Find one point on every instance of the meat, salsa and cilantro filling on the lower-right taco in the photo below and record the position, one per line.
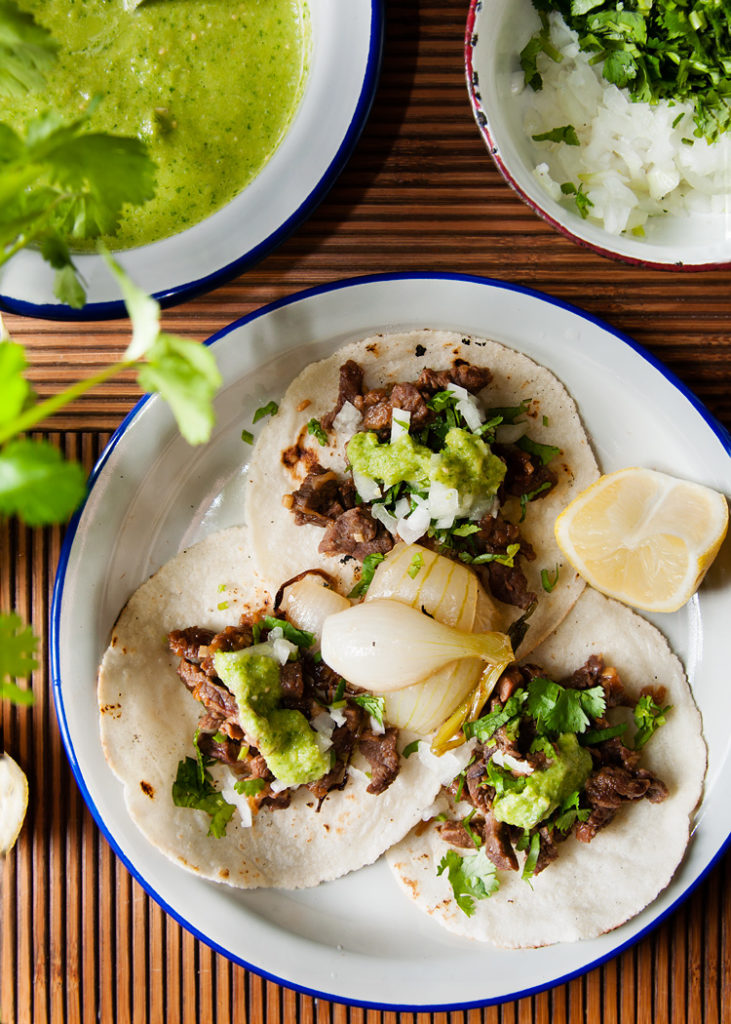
(548, 762)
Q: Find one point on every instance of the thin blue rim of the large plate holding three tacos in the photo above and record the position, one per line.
(716, 426)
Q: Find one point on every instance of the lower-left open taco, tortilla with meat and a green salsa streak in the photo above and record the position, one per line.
(174, 706)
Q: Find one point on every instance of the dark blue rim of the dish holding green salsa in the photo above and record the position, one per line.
(190, 290)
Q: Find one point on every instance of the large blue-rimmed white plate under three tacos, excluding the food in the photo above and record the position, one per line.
(358, 940)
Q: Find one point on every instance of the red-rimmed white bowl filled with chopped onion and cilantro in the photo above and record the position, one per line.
(613, 120)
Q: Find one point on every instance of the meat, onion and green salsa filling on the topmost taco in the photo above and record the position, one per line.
(427, 464)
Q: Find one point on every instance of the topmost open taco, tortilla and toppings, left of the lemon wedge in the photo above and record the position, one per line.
(456, 443)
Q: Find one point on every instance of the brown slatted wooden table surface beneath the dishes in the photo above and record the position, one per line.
(79, 940)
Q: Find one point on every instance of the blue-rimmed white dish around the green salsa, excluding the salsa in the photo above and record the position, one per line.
(346, 58)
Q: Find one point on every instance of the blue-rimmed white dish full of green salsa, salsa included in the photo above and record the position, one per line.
(188, 138)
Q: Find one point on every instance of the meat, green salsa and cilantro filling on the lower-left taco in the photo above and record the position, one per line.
(276, 715)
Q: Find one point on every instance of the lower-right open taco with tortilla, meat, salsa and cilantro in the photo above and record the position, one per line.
(517, 859)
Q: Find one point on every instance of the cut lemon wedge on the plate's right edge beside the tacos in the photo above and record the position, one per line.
(644, 538)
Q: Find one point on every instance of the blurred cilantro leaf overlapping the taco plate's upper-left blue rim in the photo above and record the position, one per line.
(186, 375)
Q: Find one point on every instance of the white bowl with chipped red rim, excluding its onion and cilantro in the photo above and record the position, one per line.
(497, 31)
